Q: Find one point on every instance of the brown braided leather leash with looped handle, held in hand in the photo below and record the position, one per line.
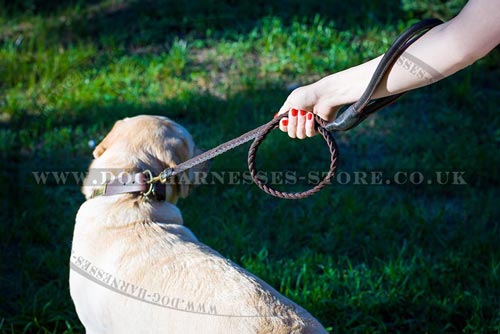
(351, 117)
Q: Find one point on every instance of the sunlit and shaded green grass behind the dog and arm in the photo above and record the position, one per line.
(362, 259)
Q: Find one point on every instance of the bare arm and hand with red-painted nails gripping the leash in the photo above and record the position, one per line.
(441, 52)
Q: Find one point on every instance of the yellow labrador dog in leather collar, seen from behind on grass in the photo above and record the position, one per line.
(136, 269)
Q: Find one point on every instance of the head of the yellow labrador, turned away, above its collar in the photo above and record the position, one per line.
(146, 142)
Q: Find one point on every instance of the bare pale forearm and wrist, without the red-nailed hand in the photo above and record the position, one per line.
(441, 52)
